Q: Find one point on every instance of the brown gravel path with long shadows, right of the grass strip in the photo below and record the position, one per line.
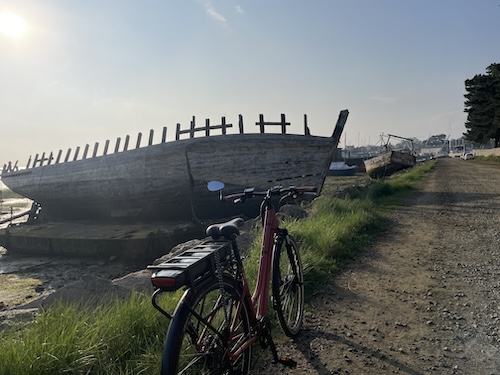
(424, 298)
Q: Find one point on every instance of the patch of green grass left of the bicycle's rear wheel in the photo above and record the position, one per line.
(124, 337)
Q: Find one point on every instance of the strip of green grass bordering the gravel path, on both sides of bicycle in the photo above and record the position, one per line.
(126, 337)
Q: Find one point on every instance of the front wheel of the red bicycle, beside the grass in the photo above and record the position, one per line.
(288, 286)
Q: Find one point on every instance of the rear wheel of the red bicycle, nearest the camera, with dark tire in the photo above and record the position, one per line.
(192, 347)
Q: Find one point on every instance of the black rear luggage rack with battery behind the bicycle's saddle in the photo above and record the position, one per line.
(188, 266)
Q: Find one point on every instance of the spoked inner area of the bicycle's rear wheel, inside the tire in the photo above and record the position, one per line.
(214, 326)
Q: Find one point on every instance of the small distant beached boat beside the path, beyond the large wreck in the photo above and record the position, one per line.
(391, 161)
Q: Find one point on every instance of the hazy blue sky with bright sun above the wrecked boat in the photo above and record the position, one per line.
(76, 72)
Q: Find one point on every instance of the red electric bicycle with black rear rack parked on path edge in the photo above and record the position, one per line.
(217, 320)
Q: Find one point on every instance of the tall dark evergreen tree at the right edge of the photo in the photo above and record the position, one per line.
(483, 106)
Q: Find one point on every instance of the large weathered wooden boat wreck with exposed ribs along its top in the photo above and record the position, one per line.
(167, 181)
